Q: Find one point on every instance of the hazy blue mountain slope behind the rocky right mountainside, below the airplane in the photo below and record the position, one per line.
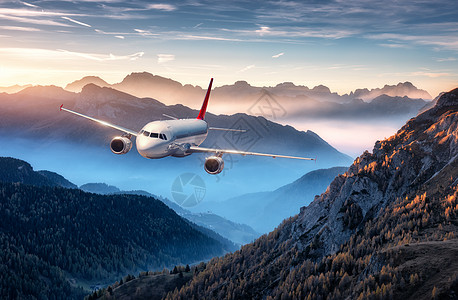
(263, 211)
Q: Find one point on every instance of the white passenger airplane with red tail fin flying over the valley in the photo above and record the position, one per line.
(175, 137)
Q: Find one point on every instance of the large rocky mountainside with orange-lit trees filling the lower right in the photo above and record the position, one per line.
(385, 229)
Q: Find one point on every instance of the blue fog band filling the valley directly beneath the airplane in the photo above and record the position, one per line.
(82, 165)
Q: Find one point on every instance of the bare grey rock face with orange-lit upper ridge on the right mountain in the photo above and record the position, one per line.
(424, 149)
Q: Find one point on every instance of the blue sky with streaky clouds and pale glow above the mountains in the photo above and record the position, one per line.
(344, 45)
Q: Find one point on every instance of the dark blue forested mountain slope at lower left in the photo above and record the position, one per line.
(55, 242)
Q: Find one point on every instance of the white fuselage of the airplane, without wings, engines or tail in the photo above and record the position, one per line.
(171, 137)
